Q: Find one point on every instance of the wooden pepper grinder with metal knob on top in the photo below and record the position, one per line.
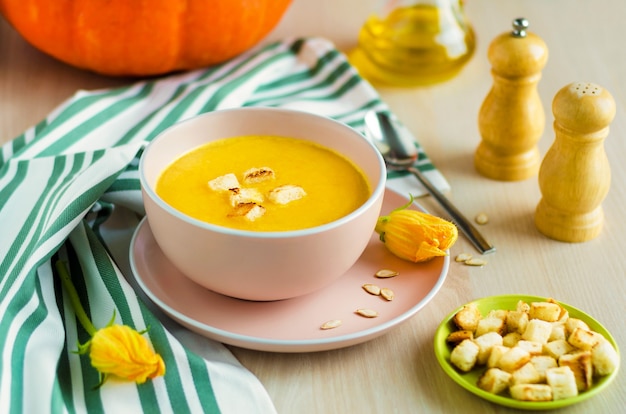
(511, 119)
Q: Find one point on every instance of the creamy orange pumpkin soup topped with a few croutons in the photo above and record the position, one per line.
(264, 183)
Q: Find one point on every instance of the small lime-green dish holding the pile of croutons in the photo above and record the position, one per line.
(468, 380)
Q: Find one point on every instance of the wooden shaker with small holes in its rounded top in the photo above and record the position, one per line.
(575, 175)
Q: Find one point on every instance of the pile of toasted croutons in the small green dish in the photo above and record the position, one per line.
(537, 352)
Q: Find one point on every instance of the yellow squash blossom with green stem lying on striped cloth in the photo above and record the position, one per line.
(115, 349)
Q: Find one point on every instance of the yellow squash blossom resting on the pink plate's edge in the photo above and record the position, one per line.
(416, 236)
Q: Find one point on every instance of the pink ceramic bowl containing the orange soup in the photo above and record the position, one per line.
(261, 265)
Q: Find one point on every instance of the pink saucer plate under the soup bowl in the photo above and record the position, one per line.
(292, 325)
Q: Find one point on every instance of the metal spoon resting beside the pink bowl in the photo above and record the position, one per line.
(400, 154)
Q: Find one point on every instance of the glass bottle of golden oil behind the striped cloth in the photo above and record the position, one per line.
(416, 43)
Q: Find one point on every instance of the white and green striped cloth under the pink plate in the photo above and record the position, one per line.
(61, 181)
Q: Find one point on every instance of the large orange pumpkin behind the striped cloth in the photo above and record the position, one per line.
(143, 37)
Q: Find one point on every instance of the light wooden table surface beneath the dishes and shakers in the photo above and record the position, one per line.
(398, 371)
